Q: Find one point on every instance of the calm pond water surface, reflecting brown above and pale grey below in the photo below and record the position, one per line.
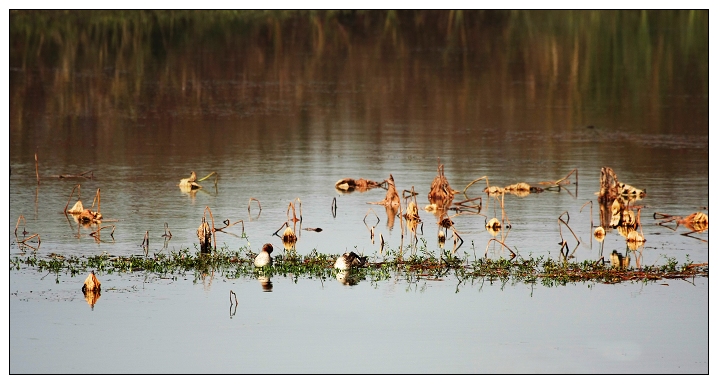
(285, 108)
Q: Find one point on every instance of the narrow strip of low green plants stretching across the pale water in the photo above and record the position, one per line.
(423, 265)
